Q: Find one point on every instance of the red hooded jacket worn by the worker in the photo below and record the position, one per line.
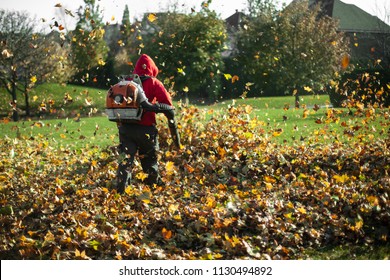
(154, 89)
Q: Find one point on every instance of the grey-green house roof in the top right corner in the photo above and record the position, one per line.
(354, 19)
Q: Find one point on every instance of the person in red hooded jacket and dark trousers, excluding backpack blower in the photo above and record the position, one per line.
(143, 136)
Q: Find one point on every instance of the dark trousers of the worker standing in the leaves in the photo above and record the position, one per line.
(133, 138)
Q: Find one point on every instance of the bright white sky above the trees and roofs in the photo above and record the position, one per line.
(113, 9)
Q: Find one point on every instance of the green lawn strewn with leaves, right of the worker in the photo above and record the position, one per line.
(315, 121)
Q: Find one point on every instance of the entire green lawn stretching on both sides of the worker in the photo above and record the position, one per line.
(75, 116)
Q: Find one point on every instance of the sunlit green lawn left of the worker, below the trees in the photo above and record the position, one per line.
(72, 116)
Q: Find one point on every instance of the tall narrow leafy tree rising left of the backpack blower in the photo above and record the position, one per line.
(88, 46)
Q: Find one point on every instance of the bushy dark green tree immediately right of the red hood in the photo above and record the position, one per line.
(188, 48)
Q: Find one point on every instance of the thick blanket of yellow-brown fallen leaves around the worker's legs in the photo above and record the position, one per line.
(230, 193)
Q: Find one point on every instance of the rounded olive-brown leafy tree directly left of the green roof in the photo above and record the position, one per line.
(311, 48)
